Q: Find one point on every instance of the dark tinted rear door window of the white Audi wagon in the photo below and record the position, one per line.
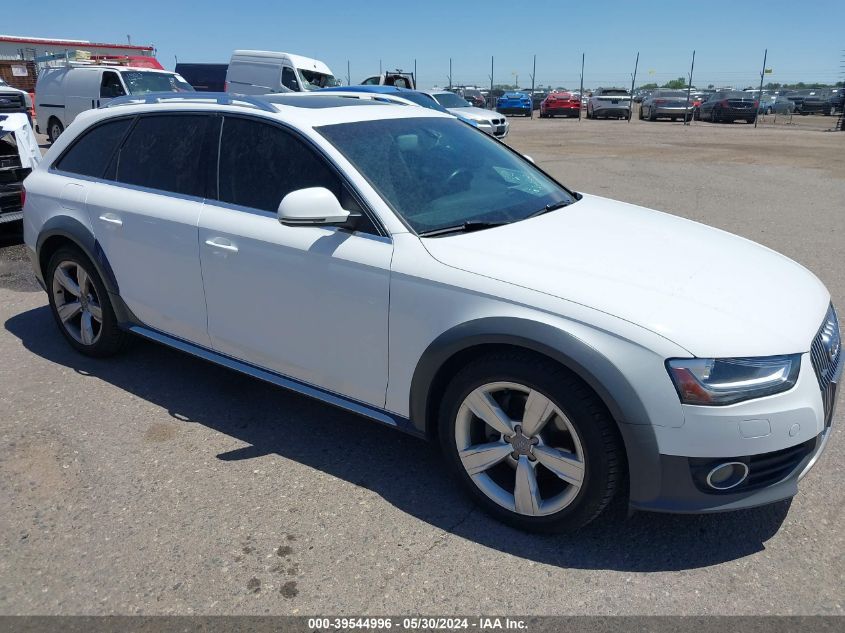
(165, 152)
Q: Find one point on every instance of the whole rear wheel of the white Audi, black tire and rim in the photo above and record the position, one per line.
(81, 306)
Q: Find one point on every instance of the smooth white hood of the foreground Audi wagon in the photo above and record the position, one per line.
(711, 292)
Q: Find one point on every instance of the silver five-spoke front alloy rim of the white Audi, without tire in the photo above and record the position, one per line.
(520, 449)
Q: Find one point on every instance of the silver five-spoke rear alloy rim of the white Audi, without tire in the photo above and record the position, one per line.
(77, 303)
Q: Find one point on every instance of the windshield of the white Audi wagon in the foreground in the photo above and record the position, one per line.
(438, 173)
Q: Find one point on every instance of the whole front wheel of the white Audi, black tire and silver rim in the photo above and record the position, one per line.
(531, 443)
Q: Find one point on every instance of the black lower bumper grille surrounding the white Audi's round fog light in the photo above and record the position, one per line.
(763, 470)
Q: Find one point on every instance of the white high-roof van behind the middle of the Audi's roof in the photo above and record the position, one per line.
(264, 72)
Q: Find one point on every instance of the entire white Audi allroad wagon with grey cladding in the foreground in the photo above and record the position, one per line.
(562, 348)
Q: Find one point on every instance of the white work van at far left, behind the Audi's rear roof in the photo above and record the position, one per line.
(62, 92)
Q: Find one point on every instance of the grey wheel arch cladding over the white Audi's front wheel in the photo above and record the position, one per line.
(463, 343)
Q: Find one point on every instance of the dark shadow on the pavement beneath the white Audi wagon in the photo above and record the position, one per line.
(405, 471)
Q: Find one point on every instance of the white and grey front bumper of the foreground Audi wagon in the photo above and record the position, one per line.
(778, 438)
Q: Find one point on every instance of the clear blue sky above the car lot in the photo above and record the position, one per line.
(804, 42)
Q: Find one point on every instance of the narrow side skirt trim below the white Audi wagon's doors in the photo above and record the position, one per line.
(292, 384)
